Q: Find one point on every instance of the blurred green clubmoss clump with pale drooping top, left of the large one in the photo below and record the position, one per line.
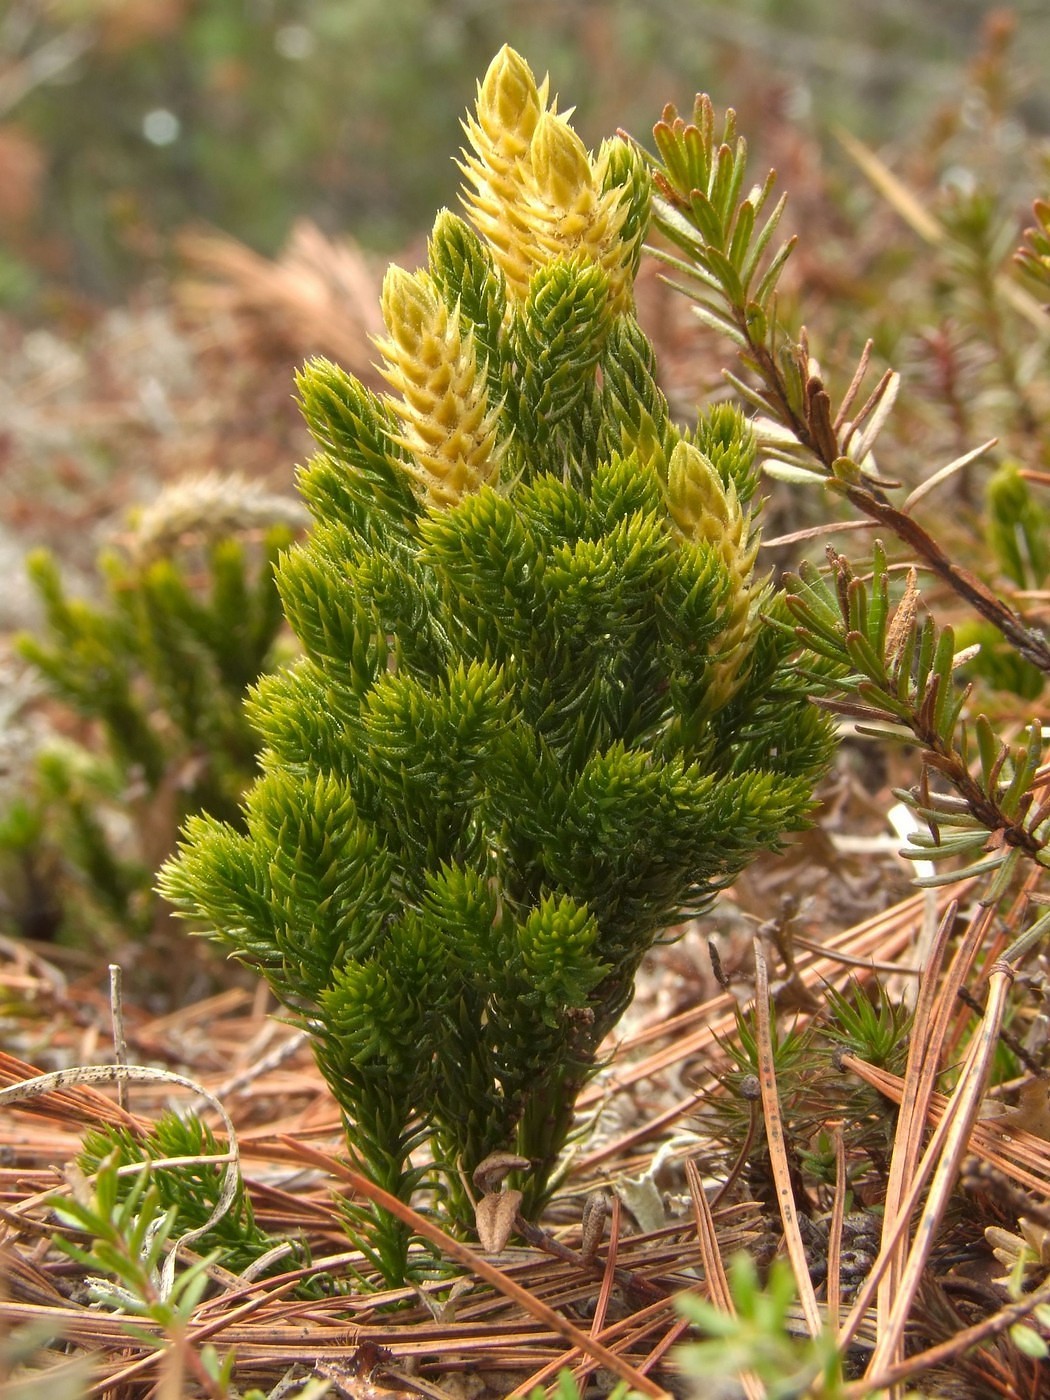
(156, 671)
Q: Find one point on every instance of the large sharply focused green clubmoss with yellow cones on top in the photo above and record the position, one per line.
(541, 713)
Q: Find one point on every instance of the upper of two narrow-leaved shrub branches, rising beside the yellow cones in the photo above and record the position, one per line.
(731, 272)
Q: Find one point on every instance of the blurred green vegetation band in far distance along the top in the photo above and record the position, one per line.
(124, 121)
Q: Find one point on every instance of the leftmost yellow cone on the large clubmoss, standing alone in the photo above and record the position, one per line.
(442, 398)
